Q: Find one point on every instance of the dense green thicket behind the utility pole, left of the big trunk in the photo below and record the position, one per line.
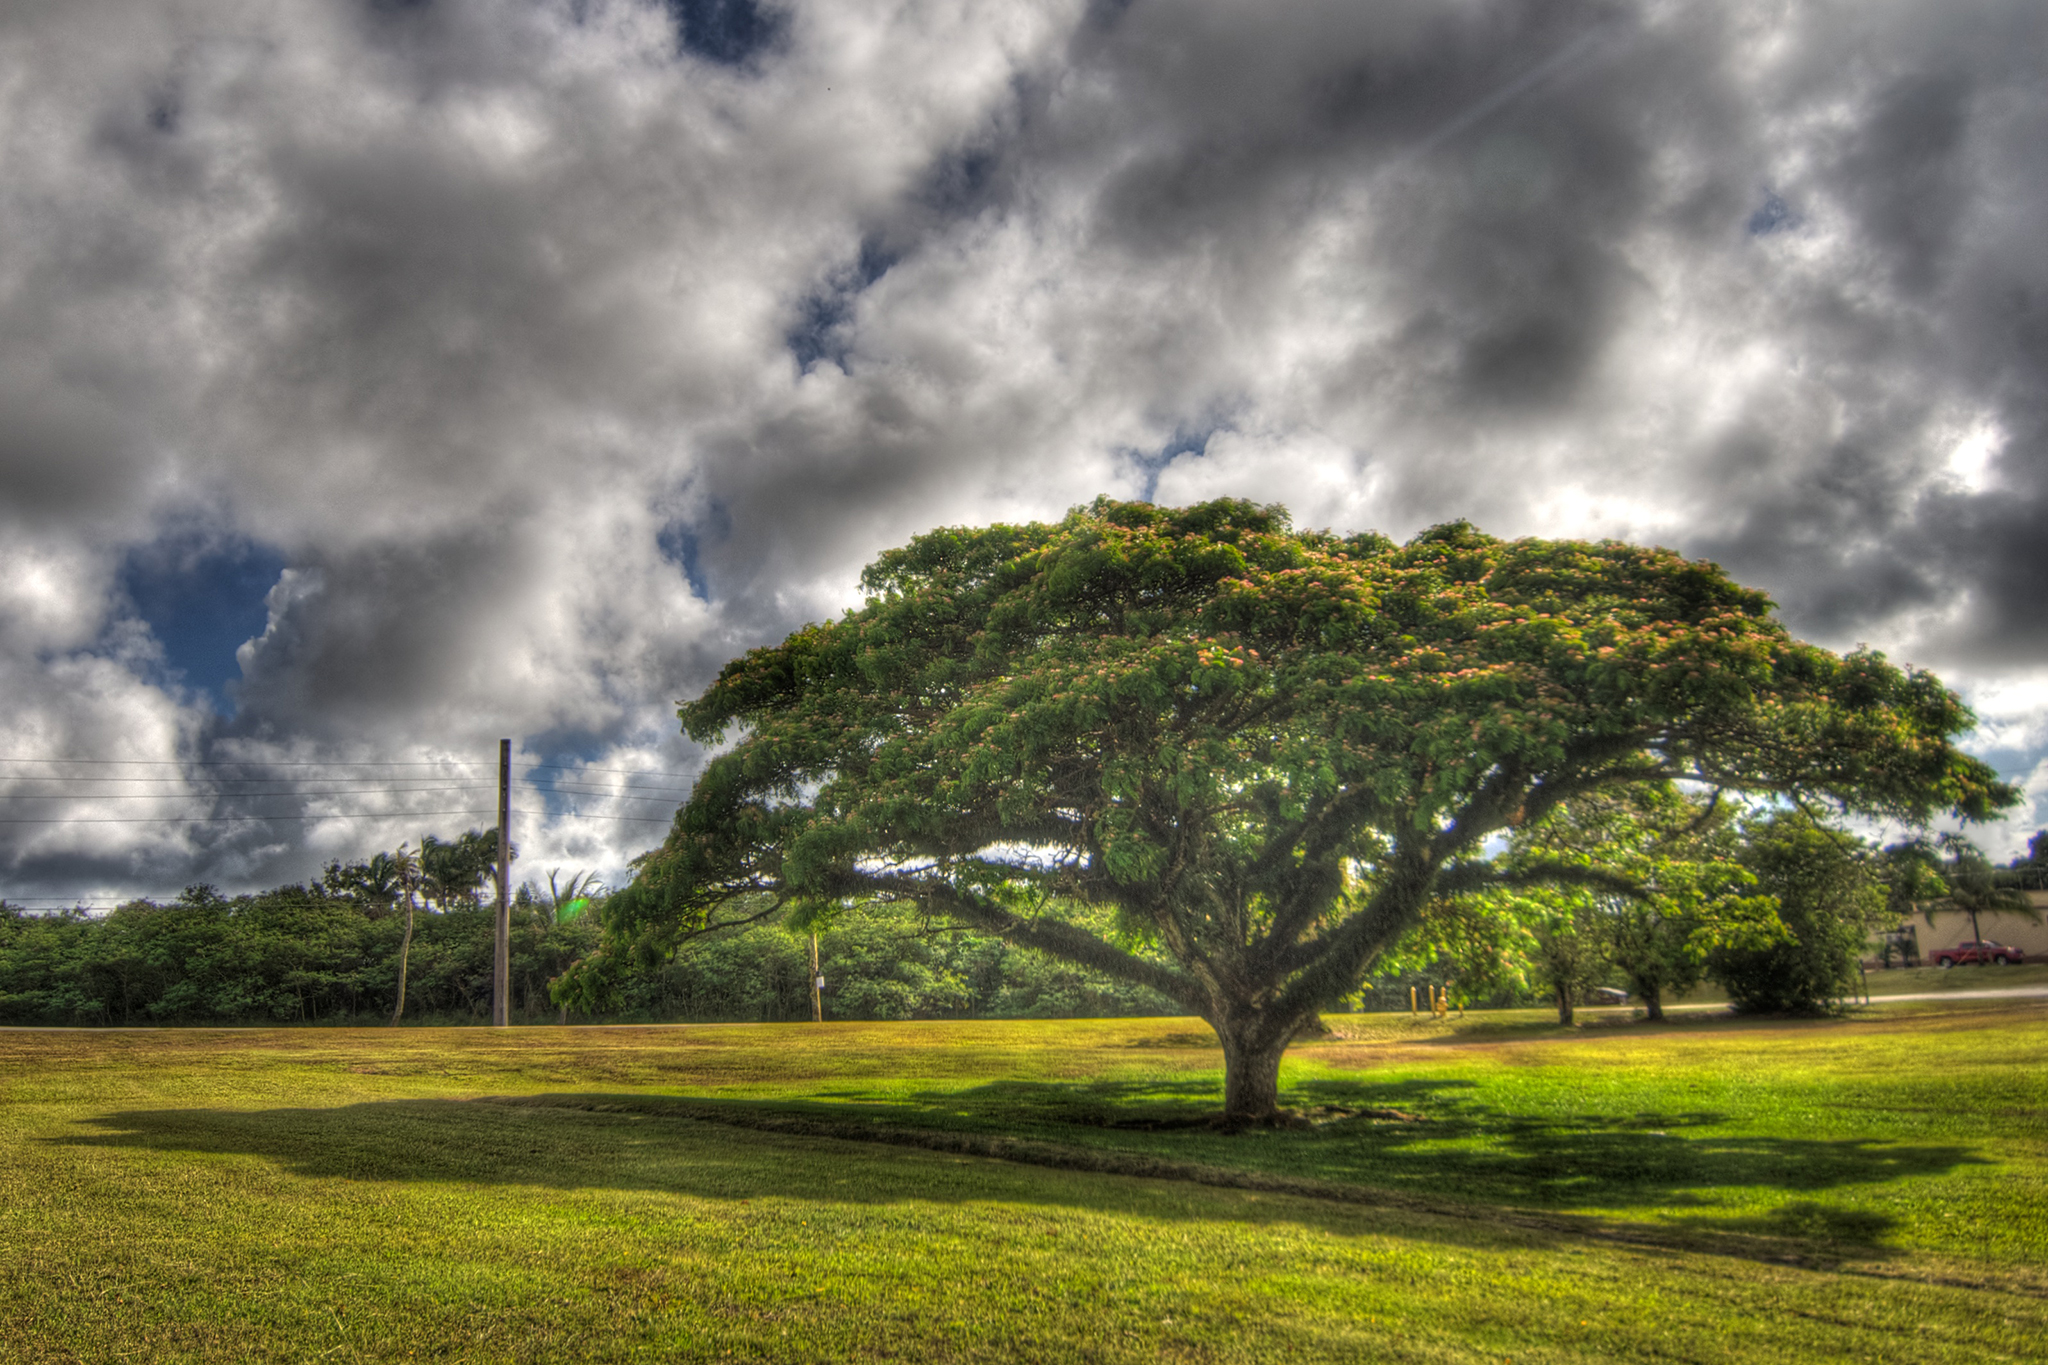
(310, 957)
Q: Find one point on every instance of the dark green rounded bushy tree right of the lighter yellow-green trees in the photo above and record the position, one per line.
(1830, 897)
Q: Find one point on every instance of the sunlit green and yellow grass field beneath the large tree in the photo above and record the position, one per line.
(1494, 1190)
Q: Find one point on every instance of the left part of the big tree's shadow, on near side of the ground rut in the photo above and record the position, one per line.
(667, 1147)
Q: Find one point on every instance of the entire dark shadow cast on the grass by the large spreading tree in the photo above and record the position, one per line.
(1467, 1174)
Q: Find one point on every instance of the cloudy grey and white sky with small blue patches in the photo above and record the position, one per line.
(386, 378)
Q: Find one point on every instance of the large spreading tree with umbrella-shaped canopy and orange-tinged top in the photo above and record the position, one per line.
(1267, 750)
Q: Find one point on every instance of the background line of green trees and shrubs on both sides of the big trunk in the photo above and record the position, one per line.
(1773, 906)
